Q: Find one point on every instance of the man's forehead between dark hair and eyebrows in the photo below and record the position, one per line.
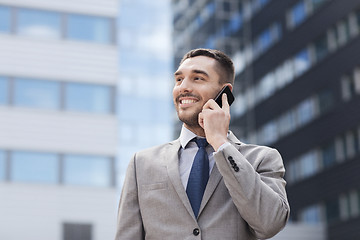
(202, 63)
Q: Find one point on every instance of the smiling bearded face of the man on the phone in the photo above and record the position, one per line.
(196, 81)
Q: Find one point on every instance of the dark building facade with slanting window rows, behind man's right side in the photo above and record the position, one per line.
(297, 89)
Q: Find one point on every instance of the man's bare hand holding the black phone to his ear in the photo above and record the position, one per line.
(215, 122)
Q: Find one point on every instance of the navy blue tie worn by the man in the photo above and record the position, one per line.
(199, 176)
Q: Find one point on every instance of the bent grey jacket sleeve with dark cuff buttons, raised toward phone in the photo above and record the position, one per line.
(255, 182)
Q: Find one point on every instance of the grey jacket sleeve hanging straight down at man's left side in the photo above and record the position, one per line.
(129, 224)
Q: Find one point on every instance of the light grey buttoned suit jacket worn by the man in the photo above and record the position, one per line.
(250, 203)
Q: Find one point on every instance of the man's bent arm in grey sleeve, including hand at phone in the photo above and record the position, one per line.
(257, 188)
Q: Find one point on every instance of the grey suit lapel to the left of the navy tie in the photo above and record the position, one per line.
(174, 174)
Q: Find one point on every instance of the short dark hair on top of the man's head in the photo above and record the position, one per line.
(224, 61)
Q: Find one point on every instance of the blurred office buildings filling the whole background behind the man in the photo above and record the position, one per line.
(84, 84)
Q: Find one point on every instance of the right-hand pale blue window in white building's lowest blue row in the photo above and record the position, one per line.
(87, 170)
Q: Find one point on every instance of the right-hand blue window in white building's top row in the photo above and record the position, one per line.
(89, 28)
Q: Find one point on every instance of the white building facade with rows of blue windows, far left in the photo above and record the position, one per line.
(58, 124)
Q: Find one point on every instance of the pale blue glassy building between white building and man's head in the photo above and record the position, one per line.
(145, 83)
